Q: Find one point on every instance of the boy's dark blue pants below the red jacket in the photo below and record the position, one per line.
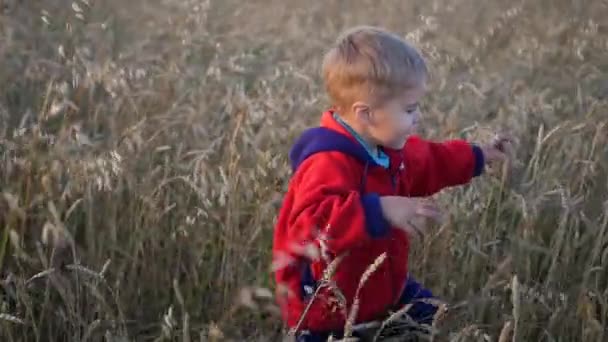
(421, 313)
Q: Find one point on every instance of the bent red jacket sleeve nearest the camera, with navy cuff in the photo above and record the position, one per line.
(327, 201)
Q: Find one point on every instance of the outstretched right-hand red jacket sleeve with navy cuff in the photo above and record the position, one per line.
(431, 166)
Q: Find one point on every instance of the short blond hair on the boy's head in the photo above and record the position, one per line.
(370, 64)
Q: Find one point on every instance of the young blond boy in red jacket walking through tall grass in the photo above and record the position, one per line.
(354, 185)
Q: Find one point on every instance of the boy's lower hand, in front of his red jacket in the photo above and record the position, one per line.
(409, 214)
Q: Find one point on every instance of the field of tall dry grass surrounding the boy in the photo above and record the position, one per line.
(143, 150)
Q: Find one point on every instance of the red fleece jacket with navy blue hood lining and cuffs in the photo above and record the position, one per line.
(333, 204)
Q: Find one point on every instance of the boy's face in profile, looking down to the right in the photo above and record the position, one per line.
(392, 122)
